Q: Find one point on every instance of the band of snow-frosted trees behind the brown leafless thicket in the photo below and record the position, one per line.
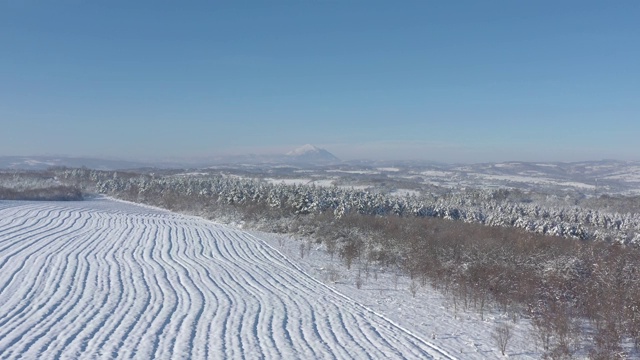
(494, 207)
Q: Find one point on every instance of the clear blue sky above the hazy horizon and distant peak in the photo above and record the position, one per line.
(454, 81)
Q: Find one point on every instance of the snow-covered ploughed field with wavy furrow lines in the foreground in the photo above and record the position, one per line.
(106, 279)
